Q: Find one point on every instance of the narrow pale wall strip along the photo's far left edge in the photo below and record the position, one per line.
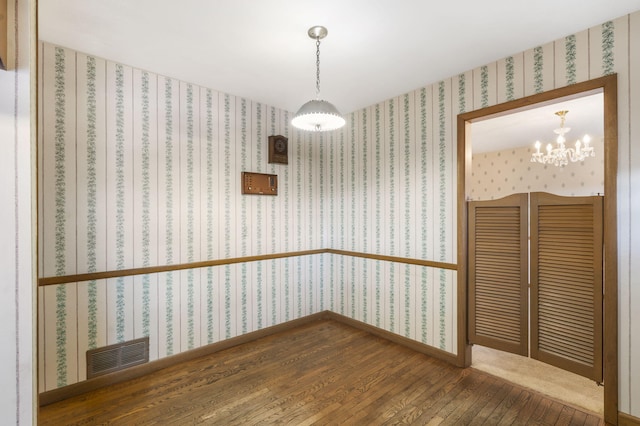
(17, 274)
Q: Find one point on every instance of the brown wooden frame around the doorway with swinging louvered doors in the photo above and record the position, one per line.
(608, 86)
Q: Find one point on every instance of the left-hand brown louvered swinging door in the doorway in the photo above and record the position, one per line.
(498, 274)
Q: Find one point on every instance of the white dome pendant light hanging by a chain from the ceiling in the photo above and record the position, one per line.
(317, 115)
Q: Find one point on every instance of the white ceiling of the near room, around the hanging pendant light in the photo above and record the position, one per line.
(259, 49)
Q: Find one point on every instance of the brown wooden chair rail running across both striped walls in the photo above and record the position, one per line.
(66, 279)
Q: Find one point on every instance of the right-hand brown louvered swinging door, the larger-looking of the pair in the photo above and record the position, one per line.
(566, 282)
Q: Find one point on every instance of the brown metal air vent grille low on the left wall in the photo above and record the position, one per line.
(117, 357)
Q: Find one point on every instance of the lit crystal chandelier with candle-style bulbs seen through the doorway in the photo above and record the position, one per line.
(561, 155)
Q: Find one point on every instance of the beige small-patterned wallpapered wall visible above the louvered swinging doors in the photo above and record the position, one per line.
(500, 173)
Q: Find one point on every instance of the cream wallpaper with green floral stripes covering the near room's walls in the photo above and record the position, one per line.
(138, 169)
